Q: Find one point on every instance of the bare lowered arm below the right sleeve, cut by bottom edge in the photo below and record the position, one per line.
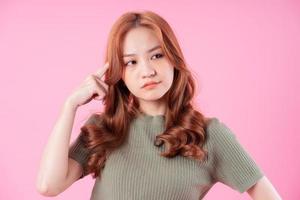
(263, 190)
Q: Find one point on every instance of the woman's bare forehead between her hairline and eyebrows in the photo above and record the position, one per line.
(139, 40)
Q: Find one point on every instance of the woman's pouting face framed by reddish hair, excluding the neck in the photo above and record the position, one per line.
(144, 62)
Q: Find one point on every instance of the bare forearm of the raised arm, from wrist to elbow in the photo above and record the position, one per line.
(54, 161)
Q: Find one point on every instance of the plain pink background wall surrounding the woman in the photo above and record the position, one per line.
(245, 57)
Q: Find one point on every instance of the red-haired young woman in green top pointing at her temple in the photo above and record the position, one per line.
(150, 142)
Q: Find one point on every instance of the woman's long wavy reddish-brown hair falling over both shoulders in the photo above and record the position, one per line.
(184, 132)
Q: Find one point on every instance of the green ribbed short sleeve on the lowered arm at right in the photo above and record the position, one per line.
(232, 164)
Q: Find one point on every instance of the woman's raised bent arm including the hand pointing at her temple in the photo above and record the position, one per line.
(57, 171)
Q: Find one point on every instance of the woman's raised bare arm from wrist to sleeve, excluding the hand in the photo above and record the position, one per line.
(54, 166)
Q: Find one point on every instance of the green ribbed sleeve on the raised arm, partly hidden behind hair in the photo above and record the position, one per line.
(78, 151)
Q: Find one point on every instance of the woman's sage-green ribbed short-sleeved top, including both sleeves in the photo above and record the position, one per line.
(136, 171)
